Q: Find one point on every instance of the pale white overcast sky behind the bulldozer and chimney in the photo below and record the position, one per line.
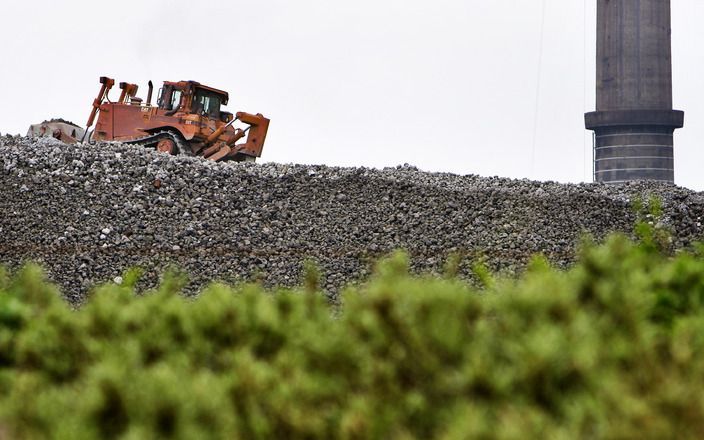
(462, 86)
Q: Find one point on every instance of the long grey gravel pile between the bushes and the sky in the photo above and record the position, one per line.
(89, 212)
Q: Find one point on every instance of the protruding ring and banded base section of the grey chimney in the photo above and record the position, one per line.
(634, 144)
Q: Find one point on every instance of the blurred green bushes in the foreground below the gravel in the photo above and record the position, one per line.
(613, 348)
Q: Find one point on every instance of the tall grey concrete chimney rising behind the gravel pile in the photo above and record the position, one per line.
(634, 120)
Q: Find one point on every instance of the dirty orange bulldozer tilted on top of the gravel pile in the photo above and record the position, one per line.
(187, 119)
